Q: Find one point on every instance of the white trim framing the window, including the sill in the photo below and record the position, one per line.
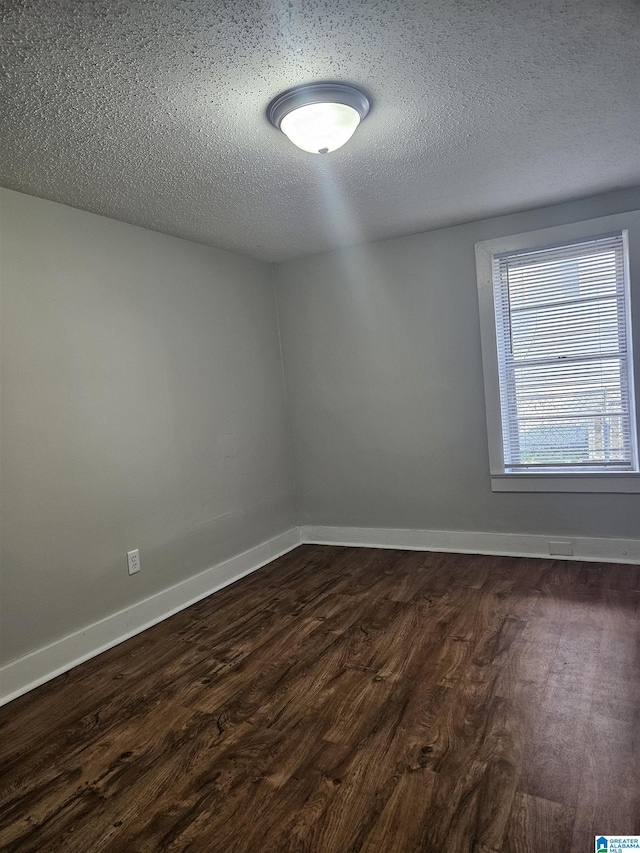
(622, 482)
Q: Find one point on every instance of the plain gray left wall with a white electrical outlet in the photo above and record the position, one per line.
(142, 406)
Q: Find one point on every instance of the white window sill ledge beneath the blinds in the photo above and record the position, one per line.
(624, 483)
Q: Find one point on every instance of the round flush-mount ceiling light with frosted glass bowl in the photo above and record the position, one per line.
(319, 117)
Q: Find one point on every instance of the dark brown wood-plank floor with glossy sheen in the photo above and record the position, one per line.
(344, 700)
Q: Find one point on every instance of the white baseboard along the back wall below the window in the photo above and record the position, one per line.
(469, 542)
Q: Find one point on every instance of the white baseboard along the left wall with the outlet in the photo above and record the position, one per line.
(25, 673)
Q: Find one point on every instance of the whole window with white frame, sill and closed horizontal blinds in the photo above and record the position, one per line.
(556, 330)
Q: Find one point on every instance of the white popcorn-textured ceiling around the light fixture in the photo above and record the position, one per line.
(153, 112)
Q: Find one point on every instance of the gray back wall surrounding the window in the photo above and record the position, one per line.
(384, 380)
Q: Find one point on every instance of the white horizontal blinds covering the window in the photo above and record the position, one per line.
(564, 357)
